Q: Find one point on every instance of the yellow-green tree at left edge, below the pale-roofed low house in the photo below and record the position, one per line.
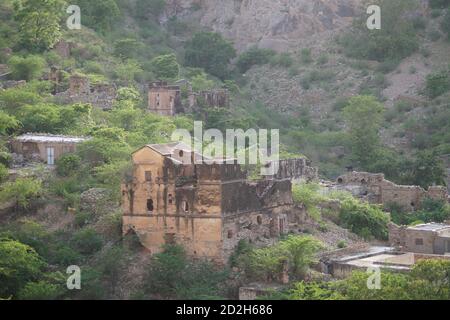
(21, 192)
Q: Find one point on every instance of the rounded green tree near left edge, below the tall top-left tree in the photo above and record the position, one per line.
(26, 68)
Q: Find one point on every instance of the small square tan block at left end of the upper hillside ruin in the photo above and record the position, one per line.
(164, 99)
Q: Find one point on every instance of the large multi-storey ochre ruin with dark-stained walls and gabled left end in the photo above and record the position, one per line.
(206, 208)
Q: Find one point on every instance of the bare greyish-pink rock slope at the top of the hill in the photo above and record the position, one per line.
(274, 24)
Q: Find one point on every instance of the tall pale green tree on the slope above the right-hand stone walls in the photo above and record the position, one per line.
(363, 116)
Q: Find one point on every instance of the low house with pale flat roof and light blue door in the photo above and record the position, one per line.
(44, 147)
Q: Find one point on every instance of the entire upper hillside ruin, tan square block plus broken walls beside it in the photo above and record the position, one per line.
(166, 100)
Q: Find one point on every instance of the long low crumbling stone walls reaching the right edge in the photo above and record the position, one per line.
(376, 189)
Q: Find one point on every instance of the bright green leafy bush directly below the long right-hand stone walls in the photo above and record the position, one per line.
(364, 219)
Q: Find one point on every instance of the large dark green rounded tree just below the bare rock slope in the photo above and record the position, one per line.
(210, 51)
